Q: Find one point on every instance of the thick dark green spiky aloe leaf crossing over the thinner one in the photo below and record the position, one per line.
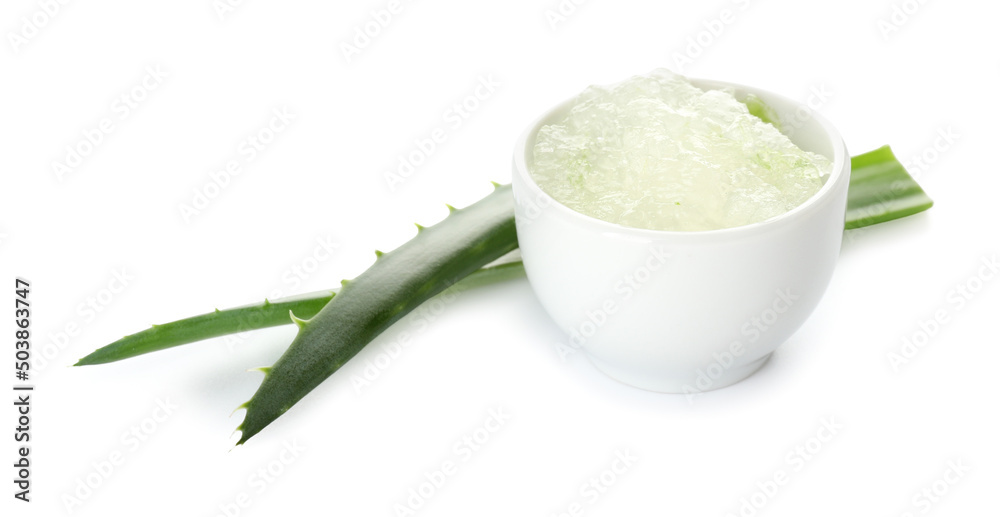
(397, 283)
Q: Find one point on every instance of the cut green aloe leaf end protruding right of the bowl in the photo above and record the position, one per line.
(881, 190)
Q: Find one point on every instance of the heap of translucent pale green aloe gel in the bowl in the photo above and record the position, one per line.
(657, 152)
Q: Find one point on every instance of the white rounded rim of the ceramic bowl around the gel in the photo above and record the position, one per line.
(840, 172)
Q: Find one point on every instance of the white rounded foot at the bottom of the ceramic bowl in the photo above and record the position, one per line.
(667, 384)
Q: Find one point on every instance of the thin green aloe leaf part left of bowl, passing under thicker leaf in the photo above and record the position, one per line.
(253, 317)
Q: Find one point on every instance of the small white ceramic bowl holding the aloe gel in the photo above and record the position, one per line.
(683, 312)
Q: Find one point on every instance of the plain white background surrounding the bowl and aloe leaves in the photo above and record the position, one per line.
(324, 178)
